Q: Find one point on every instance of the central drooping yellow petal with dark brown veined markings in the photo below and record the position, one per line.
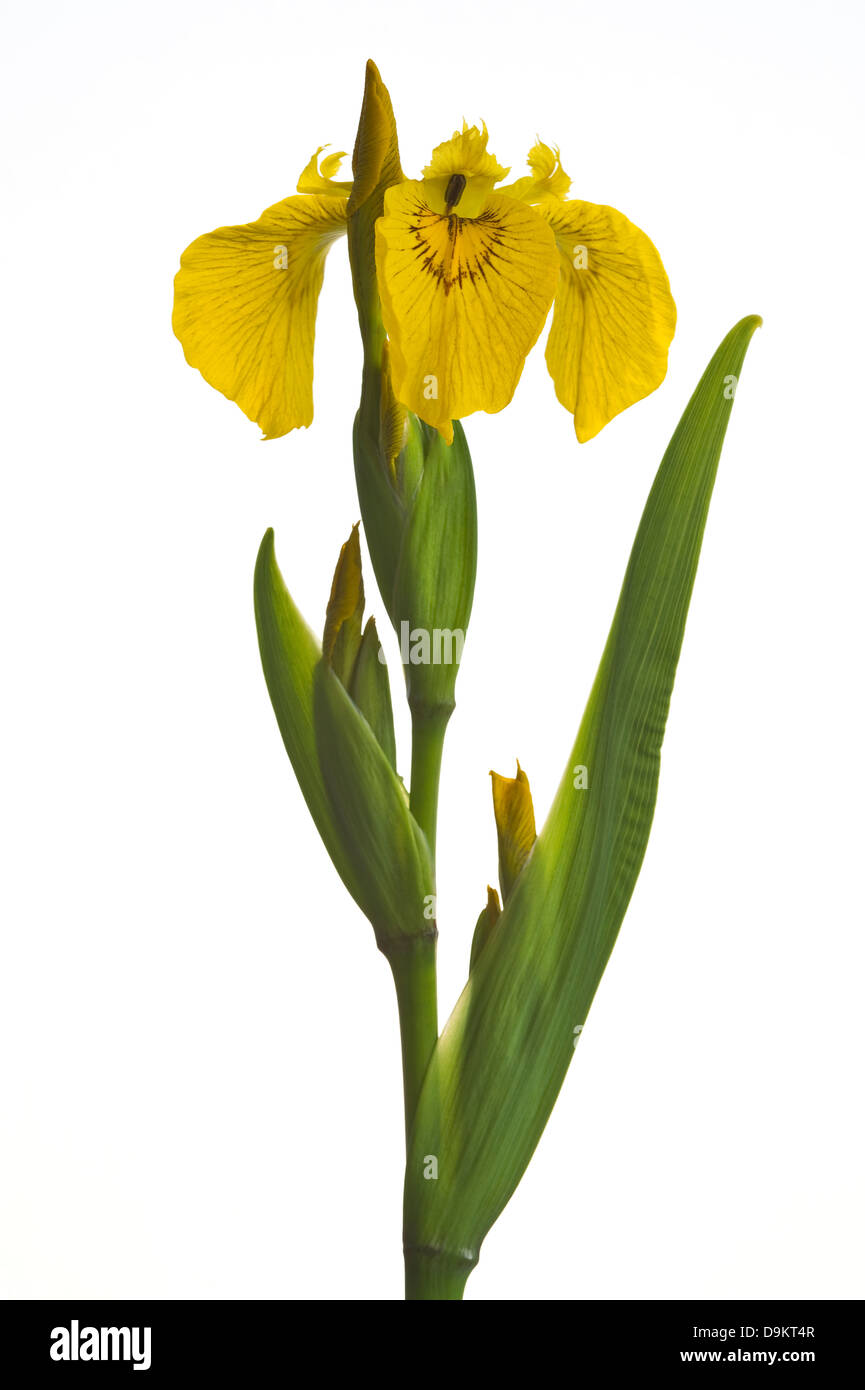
(464, 301)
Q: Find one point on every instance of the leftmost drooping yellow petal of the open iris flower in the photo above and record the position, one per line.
(245, 308)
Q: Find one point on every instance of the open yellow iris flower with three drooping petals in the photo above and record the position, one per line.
(468, 270)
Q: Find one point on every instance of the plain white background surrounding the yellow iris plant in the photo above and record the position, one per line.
(201, 1085)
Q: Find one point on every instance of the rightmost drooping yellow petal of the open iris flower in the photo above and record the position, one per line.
(614, 318)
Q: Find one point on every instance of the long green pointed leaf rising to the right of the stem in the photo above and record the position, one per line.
(506, 1050)
